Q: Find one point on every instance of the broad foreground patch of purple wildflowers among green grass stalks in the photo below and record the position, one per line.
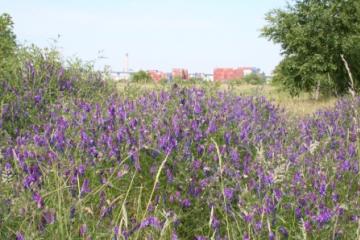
(275, 173)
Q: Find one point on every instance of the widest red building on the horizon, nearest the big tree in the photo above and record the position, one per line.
(226, 74)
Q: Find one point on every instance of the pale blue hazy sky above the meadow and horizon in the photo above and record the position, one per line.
(199, 35)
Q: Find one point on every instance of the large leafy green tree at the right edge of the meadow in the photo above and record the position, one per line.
(313, 35)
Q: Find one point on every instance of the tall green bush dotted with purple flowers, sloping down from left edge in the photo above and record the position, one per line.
(39, 79)
